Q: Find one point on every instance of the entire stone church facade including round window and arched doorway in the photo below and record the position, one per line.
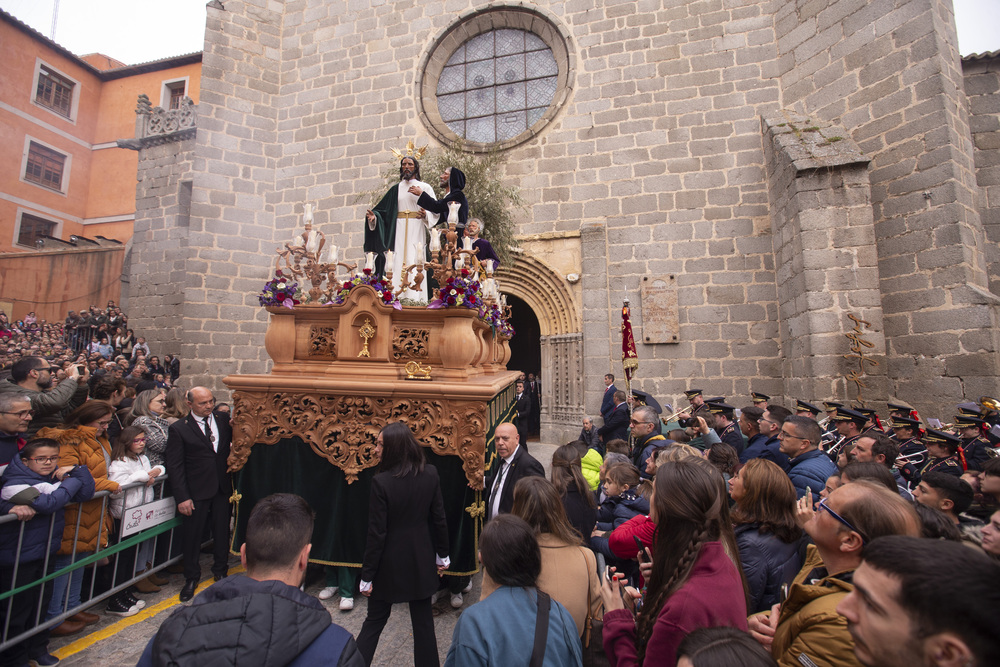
(747, 173)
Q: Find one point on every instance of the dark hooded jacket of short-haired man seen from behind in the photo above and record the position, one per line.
(242, 621)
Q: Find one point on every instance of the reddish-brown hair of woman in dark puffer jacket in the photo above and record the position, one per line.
(768, 499)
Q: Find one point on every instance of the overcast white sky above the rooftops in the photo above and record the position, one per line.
(136, 31)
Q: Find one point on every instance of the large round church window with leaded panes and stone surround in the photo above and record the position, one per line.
(496, 78)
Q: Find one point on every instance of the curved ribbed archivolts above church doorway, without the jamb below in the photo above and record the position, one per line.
(547, 292)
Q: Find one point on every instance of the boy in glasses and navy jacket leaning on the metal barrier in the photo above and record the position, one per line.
(35, 479)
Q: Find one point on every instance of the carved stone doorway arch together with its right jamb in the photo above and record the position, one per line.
(560, 323)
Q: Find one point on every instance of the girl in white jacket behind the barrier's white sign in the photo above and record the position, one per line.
(130, 465)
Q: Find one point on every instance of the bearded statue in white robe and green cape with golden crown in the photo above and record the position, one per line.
(397, 223)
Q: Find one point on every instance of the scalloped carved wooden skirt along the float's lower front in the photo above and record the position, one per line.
(342, 429)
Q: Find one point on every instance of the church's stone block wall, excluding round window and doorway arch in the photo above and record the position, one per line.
(657, 158)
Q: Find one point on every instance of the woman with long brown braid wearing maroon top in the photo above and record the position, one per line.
(694, 583)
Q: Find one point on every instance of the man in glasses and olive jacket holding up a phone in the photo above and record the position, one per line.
(34, 377)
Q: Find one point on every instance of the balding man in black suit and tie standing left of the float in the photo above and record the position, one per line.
(197, 449)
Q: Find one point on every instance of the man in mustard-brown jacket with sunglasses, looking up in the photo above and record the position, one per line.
(806, 628)
